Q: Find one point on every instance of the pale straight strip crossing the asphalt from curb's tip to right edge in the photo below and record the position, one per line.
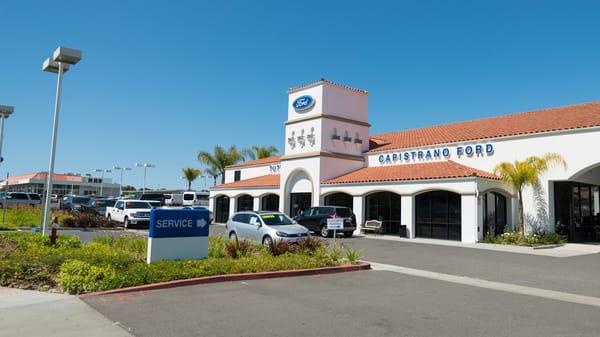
(500, 286)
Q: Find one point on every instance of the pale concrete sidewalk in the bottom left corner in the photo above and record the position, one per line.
(27, 313)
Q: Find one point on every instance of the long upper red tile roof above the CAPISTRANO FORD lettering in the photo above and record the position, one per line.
(553, 119)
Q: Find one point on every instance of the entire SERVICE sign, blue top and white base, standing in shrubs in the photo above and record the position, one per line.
(176, 234)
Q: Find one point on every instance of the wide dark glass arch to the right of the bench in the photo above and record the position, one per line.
(438, 215)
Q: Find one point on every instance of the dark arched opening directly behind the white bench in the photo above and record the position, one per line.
(385, 207)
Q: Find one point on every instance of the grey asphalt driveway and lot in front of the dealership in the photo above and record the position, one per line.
(381, 302)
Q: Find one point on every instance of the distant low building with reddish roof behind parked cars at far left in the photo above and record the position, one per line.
(62, 184)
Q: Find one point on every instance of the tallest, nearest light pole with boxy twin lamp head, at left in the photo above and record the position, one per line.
(59, 64)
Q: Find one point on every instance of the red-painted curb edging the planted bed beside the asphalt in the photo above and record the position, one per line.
(234, 277)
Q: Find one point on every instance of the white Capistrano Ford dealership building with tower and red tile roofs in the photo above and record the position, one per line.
(436, 182)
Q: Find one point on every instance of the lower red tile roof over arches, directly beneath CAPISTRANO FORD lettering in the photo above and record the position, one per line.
(422, 171)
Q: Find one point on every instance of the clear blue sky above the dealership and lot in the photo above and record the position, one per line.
(162, 80)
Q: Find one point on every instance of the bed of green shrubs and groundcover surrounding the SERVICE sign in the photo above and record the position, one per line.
(28, 261)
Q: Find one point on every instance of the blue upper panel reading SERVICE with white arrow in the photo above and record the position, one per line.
(172, 223)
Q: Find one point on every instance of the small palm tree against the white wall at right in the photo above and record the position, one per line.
(521, 174)
